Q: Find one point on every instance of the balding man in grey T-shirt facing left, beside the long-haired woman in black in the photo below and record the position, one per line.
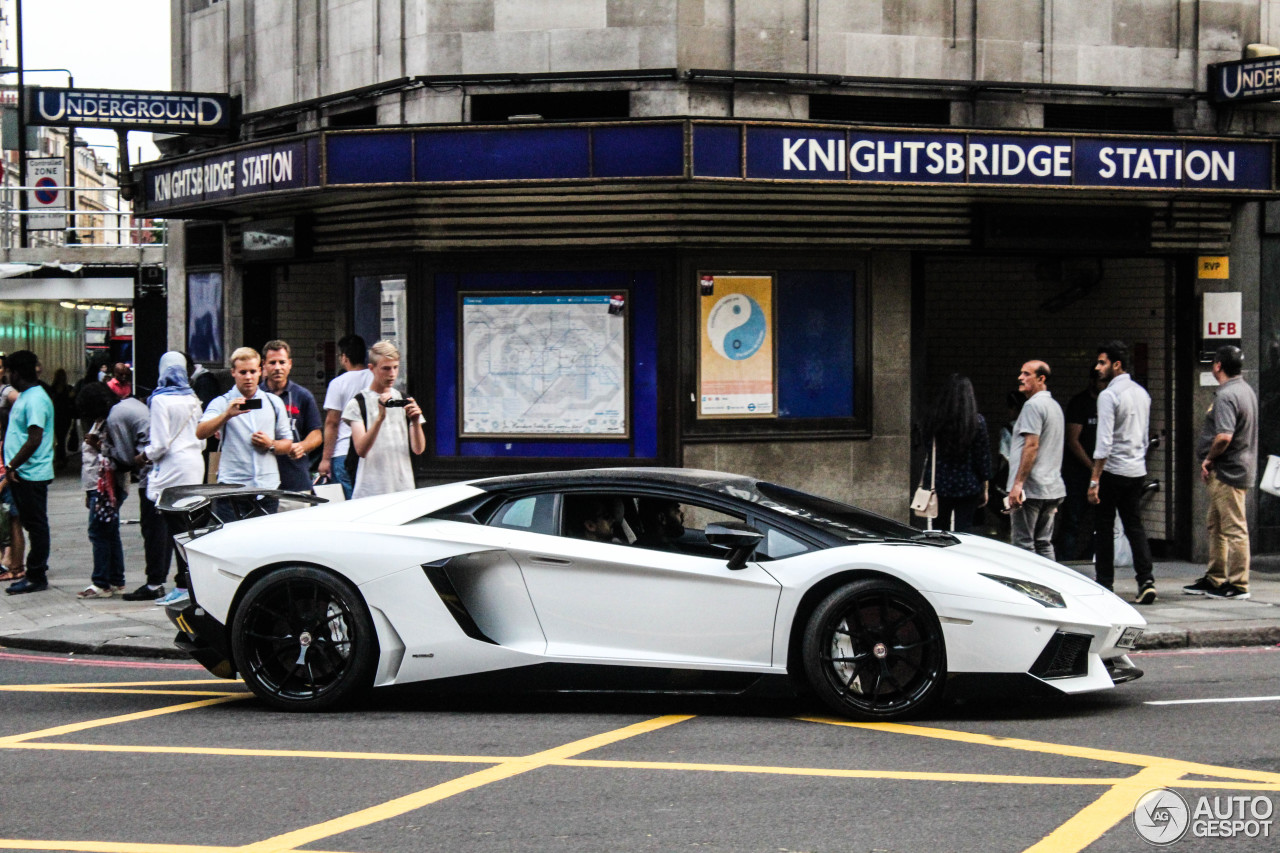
(1036, 486)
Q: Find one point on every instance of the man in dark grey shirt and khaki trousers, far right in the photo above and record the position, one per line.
(1228, 451)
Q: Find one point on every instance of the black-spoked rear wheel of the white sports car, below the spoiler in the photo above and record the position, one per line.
(304, 641)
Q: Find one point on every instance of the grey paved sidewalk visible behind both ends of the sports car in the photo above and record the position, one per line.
(60, 622)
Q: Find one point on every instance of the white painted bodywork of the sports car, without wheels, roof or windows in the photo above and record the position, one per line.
(546, 599)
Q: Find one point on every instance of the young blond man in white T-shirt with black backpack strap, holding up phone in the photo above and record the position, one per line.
(385, 426)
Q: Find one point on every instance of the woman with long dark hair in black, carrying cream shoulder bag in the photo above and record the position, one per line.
(958, 436)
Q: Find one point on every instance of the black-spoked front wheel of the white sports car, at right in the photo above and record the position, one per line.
(874, 650)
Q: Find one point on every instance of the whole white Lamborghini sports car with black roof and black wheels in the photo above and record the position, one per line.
(644, 578)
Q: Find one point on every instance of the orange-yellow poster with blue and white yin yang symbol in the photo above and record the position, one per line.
(735, 376)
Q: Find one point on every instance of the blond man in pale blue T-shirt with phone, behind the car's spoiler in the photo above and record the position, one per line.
(253, 426)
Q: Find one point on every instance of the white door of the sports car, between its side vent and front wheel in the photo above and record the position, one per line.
(624, 603)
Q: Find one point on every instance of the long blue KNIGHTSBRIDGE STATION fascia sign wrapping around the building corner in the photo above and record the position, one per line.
(700, 150)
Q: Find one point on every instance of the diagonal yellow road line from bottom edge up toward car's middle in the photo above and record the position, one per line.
(506, 770)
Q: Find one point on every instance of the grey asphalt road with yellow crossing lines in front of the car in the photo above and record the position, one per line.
(144, 756)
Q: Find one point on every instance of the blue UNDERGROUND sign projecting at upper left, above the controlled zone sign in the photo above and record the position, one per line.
(131, 111)
